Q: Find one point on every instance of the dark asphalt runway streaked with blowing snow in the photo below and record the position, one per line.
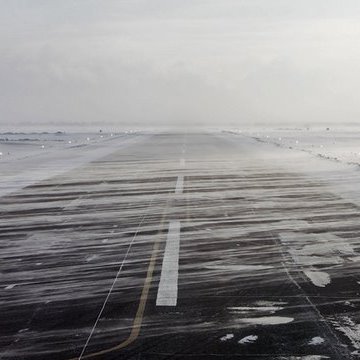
(181, 246)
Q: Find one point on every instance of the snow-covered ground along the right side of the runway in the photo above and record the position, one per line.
(331, 155)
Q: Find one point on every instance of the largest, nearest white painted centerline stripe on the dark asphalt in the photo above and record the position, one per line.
(168, 286)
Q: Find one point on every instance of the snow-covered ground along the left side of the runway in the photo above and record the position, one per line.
(26, 158)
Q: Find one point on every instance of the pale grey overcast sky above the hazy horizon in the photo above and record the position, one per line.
(171, 62)
